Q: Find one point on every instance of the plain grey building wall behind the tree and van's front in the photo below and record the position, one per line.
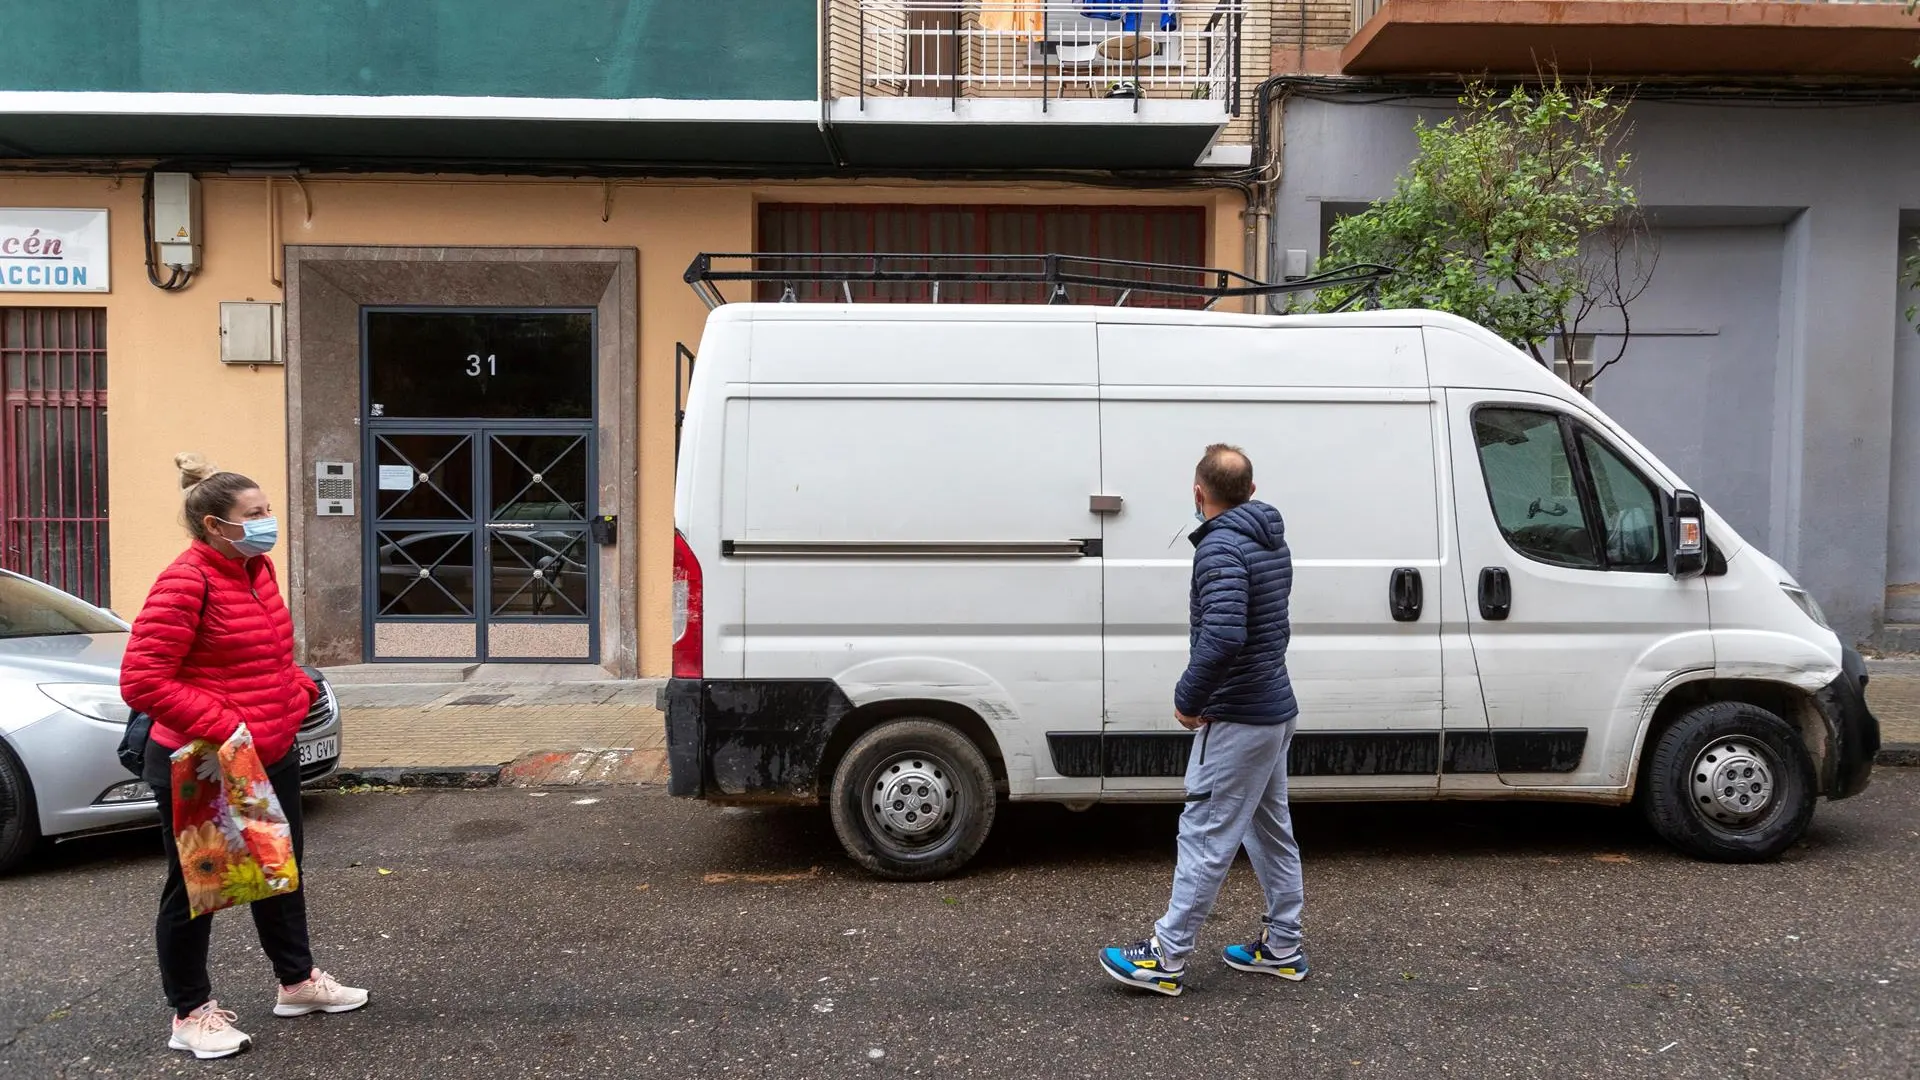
(1771, 376)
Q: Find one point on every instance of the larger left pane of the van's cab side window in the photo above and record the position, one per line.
(1529, 481)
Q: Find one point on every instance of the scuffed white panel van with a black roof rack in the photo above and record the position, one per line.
(936, 556)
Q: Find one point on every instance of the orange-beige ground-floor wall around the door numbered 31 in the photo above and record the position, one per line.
(170, 391)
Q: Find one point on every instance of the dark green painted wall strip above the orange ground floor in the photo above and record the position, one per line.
(510, 49)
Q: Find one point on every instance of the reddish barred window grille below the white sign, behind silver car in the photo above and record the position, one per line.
(55, 445)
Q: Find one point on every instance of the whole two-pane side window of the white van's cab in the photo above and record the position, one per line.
(1550, 499)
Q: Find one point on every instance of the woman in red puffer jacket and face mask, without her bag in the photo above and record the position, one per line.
(212, 650)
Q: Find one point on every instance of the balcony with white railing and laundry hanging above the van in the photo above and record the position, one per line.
(1036, 84)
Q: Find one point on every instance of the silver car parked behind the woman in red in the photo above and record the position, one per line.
(62, 722)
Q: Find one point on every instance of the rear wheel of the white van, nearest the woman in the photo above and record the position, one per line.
(913, 800)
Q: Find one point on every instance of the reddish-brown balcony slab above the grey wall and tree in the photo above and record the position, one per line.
(1850, 39)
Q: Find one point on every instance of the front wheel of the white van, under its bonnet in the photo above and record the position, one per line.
(1731, 783)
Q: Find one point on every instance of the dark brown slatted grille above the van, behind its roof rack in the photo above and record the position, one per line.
(1147, 235)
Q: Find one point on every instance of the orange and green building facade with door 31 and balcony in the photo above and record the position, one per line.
(420, 266)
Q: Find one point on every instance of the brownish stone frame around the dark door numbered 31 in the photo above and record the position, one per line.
(325, 291)
